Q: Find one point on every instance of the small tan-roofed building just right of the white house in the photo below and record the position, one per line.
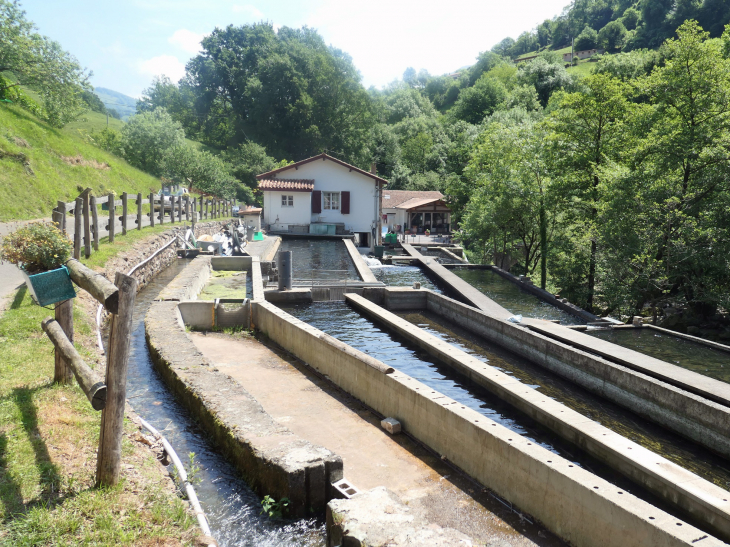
(405, 210)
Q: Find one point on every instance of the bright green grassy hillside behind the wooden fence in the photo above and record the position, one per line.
(36, 168)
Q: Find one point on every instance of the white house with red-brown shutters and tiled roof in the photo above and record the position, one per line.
(323, 195)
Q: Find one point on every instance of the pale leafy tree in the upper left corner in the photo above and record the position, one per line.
(30, 60)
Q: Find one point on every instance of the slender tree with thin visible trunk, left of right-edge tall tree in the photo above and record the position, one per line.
(588, 131)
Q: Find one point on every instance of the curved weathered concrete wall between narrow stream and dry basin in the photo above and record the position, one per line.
(272, 459)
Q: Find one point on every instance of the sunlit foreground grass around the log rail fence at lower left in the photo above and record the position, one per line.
(48, 440)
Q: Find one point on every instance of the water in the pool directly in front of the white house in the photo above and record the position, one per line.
(319, 259)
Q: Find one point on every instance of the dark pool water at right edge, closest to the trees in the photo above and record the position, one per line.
(678, 351)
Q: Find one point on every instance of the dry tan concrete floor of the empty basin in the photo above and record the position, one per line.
(316, 411)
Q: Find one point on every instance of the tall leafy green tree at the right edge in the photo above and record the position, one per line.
(679, 195)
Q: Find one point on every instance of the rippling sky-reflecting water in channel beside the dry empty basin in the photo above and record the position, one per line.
(347, 325)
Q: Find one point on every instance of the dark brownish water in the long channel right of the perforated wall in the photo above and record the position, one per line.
(647, 434)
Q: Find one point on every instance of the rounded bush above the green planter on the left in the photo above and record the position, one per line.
(37, 247)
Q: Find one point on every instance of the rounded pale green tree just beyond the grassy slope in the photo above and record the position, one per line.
(148, 136)
